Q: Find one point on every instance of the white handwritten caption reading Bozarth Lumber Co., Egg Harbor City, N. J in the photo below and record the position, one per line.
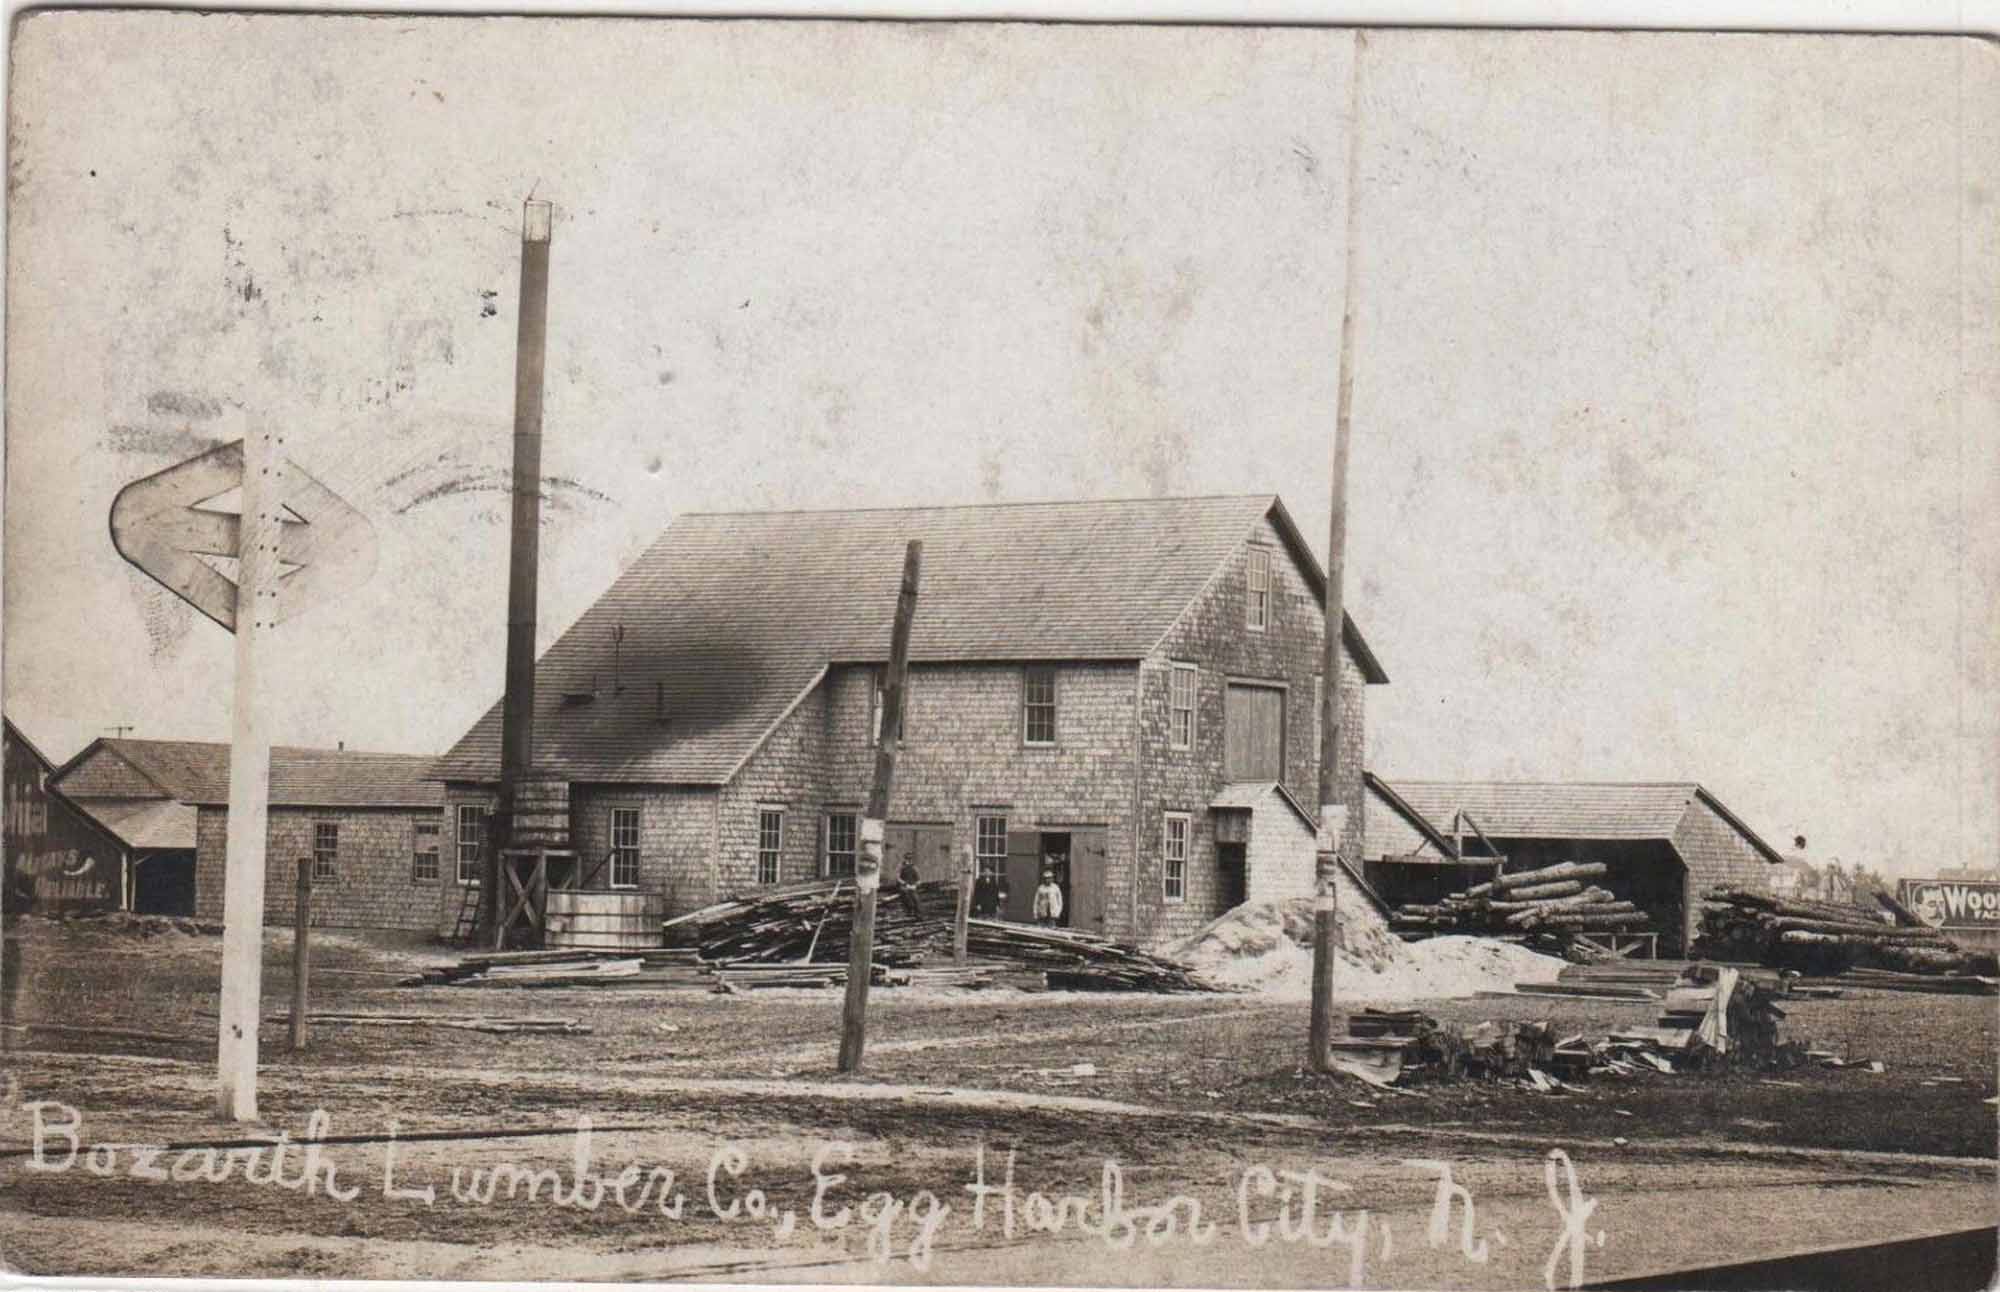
(1271, 1205)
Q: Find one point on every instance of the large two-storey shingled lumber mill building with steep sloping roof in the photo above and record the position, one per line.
(1123, 691)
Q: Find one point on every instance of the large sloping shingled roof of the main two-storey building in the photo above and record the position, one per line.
(731, 619)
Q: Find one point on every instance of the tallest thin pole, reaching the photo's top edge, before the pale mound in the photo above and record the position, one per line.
(1333, 775)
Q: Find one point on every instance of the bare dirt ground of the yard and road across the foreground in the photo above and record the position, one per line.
(1187, 1097)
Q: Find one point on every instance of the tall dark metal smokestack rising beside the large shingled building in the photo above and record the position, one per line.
(531, 347)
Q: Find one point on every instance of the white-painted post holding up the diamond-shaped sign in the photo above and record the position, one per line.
(243, 877)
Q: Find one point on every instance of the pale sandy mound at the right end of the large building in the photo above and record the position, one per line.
(1267, 947)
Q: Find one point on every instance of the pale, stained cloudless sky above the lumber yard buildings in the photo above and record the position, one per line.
(1675, 423)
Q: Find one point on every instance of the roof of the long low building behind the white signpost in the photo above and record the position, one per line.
(199, 773)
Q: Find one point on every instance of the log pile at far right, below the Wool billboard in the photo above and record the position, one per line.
(1825, 939)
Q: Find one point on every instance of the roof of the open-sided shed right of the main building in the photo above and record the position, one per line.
(1603, 811)
